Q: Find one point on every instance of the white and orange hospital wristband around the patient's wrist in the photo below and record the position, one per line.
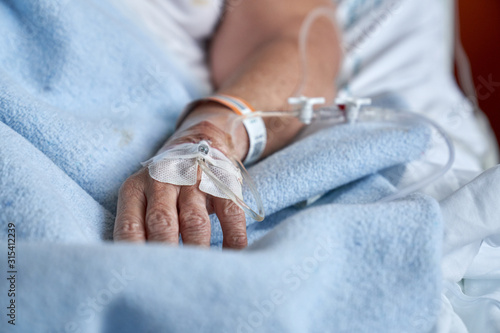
(255, 126)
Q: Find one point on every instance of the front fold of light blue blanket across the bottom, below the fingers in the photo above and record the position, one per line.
(330, 268)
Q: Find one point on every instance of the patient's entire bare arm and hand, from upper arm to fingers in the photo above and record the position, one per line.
(254, 56)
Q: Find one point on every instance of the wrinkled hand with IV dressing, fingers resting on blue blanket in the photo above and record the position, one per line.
(155, 211)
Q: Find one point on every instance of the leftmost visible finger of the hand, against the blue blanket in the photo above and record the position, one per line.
(129, 222)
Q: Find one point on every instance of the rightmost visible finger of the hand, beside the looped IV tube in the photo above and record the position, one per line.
(233, 223)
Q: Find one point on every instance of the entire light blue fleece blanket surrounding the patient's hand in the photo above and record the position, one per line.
(84, 97)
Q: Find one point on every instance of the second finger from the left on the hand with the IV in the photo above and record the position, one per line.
(161, 214)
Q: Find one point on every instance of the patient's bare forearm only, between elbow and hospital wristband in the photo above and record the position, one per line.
(269, 73)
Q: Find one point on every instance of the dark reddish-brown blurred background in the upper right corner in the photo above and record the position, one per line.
(480, 34)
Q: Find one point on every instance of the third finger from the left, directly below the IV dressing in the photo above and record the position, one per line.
(194, 222)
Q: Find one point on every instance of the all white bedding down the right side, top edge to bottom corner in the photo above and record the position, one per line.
(409, 54)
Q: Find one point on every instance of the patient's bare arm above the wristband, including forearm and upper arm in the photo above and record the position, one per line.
(254, 55)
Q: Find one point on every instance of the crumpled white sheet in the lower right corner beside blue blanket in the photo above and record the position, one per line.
(471, 257)
